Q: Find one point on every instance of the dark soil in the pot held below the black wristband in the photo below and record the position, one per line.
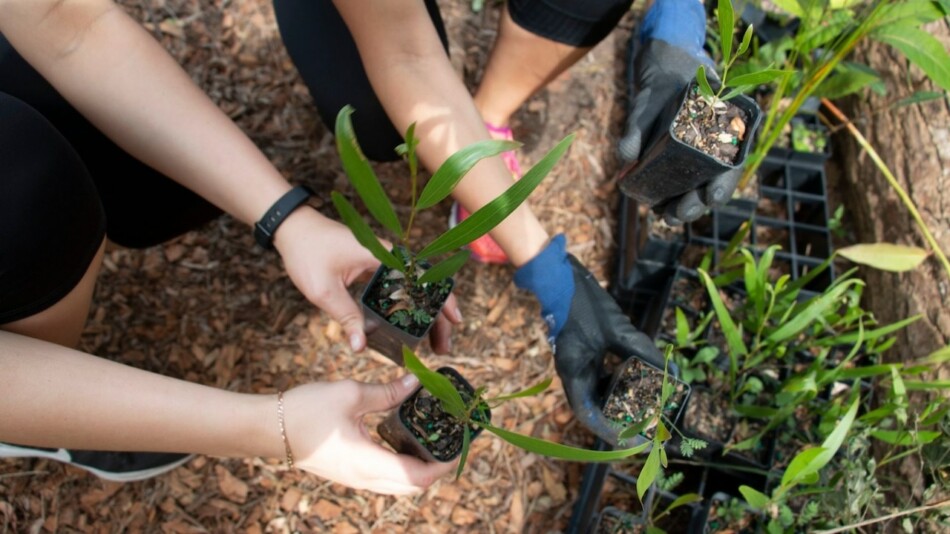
(416, 317)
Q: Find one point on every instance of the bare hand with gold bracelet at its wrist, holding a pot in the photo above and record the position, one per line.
(324, 426)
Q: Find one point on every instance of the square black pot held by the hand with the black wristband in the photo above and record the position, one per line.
(388, 338)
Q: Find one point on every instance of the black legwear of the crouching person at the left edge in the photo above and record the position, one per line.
(63, 186)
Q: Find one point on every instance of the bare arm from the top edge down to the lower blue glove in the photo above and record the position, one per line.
(415, 82)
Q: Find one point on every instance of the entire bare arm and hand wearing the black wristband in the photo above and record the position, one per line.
(118, 77)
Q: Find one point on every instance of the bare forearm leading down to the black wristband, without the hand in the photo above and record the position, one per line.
(113, 72)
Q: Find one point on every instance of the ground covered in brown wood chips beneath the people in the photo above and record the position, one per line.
(212, 308)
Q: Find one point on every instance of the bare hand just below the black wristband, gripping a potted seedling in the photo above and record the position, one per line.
(323, 258)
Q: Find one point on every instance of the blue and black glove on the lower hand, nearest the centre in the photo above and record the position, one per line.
(584, 323)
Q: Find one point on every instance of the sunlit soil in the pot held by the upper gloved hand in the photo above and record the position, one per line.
(717, 131)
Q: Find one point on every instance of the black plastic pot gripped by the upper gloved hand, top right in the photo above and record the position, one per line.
(669, 167)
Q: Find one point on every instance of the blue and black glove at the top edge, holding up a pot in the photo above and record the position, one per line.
(670, 50)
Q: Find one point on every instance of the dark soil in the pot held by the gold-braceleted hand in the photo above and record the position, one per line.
(435, 429)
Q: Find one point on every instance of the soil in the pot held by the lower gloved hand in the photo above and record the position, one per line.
(637, 393)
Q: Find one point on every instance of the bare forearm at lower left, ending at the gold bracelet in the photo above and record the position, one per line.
(58, 397)
